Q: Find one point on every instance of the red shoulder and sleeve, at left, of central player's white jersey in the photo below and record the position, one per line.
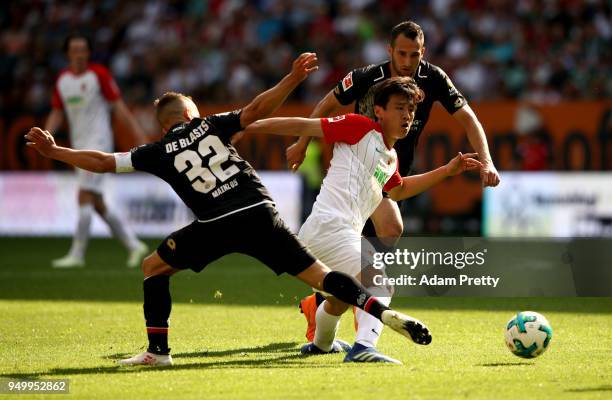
(348, 128)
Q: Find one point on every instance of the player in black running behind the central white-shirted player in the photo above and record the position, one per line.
(406, 51)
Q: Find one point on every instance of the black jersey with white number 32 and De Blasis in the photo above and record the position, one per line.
(198, 160)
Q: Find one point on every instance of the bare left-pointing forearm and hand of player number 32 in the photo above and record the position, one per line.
(91, 160)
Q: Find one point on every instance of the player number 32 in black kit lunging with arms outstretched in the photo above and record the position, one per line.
(197, 159)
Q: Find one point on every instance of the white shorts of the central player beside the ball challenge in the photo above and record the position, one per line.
(335, 243)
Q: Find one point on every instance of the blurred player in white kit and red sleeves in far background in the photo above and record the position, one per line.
(86, 93)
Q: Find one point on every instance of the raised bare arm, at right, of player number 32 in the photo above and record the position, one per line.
(267, 102)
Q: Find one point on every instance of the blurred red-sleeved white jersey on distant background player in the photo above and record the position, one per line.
(85, 99)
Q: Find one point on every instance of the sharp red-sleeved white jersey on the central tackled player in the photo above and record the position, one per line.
(362, 167)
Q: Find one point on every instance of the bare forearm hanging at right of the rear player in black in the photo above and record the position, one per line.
(475, 133)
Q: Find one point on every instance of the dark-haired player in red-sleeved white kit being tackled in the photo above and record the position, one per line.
(364, 163)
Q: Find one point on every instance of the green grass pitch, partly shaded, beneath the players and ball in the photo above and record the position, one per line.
(74, 324)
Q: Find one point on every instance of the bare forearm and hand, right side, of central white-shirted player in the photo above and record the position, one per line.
(415, 184)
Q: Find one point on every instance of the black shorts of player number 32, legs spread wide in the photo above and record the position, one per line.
(258, 232)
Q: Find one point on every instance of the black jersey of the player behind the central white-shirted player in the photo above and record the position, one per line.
(357, 86)
